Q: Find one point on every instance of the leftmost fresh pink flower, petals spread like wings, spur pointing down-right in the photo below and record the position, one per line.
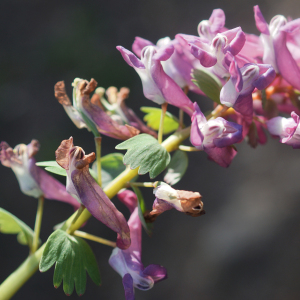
(157, 85)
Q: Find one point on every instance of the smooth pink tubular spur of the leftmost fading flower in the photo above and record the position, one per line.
(51, 187)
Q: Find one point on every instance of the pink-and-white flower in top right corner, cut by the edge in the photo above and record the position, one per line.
(276, 52)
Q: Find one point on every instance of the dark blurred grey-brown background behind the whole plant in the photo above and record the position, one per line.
(245, 247)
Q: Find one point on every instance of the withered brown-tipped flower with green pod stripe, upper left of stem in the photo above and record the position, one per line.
(89, 113)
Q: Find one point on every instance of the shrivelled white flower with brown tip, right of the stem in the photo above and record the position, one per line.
(184, 201)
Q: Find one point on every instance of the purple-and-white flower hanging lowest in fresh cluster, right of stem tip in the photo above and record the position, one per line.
(215, 137)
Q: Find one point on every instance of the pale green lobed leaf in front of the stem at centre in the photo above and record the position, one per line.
(145, 152)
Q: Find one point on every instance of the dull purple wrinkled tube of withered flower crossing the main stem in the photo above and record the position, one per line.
(100, 206)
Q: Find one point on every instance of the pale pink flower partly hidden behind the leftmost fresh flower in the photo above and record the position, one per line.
(179, 66)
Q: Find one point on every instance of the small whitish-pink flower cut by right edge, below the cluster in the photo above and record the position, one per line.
(287, 129)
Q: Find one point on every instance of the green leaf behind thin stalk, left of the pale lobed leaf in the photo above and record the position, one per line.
(111, 166)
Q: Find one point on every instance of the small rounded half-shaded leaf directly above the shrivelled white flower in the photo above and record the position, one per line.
(177, 167)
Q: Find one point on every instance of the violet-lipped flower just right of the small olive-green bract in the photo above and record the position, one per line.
(237, 92)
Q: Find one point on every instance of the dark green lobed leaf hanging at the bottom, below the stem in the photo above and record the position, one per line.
(72, 257)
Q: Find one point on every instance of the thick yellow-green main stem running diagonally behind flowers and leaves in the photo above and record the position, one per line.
(15, 281)
